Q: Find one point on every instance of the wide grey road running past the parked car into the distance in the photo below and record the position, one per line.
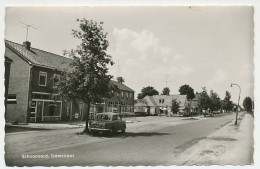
(160, 147)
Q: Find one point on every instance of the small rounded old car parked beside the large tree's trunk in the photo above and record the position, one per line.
(107, 122)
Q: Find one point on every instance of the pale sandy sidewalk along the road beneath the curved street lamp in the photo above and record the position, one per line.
(230, 145)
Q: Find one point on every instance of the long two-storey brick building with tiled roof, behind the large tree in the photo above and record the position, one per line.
(30, 93)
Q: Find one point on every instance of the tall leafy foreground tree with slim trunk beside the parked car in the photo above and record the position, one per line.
(88, 78)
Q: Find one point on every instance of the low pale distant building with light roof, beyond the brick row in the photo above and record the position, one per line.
(161, 104)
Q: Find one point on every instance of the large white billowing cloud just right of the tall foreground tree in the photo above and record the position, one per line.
(144, 59)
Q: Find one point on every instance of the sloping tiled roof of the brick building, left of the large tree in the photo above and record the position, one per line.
(39, 57)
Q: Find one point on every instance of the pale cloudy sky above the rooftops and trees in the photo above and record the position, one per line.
(206, 46)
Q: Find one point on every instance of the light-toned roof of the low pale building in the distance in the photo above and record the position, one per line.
(165, 100)
